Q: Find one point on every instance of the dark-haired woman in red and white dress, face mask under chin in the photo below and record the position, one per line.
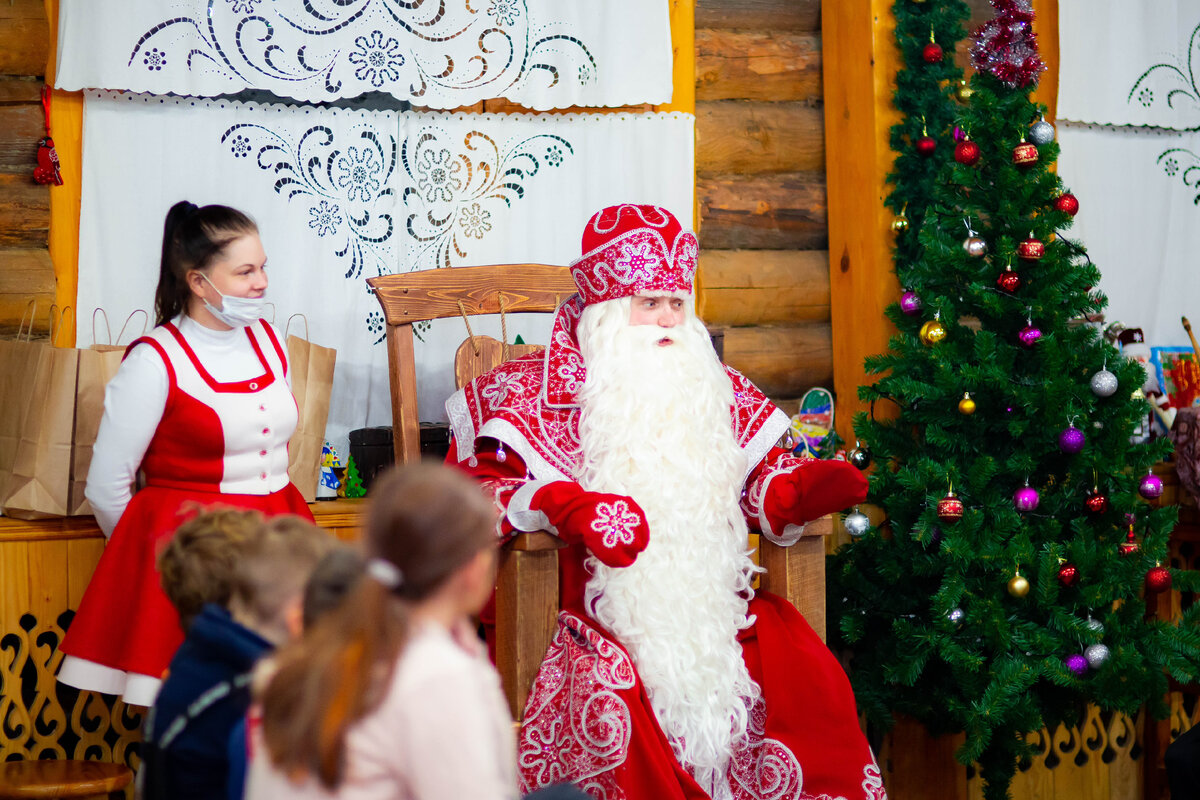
(202, 407)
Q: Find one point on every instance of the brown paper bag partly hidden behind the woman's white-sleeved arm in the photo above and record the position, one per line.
(98, 365)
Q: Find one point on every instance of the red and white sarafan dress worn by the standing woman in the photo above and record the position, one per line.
(218, 444)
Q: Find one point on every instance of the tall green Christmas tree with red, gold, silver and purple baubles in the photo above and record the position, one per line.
(1006, 588)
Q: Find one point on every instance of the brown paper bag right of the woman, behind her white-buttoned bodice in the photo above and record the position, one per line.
(311, 368)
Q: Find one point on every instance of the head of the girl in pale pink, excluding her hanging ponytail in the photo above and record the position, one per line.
(433, 525)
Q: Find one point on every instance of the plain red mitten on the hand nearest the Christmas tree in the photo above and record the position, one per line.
(813, 490)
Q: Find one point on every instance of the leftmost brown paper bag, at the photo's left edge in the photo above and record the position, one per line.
(38, 390)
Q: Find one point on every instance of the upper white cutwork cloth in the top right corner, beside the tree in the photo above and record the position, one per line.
(1130, 63)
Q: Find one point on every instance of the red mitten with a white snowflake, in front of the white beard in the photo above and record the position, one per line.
(611, 526)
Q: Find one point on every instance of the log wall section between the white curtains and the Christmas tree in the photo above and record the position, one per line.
(761, 190)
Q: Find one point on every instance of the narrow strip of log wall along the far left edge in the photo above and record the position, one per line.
(26, 269)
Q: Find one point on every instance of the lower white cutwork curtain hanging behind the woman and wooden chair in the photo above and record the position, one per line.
(343, 196)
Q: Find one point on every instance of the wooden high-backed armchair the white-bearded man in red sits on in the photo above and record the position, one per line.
(527, 585)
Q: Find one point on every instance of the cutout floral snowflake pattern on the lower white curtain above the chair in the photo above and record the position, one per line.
(451, 190)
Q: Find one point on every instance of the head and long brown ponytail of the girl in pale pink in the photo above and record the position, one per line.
(430, 542)
